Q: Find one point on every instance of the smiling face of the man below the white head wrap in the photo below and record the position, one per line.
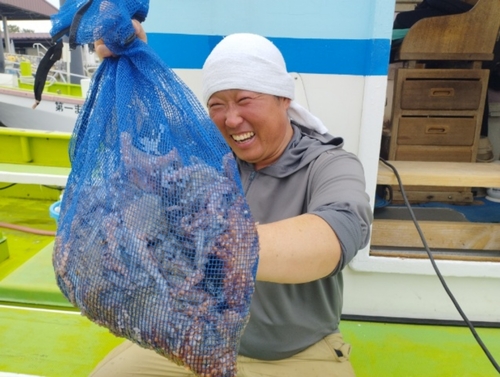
(255, 125)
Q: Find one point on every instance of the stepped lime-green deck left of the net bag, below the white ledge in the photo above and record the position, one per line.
(40, 333)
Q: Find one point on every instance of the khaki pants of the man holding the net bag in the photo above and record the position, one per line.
(320, 360)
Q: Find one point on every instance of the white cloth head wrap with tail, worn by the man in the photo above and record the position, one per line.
(251, 62)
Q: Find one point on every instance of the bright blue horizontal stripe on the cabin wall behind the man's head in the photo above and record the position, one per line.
(322, 56)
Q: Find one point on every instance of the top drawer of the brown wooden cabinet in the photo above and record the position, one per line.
(441, 94)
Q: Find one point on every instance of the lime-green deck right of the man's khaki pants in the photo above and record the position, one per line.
(402, 350)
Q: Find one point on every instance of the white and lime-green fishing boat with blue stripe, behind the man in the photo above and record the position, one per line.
(398, 316)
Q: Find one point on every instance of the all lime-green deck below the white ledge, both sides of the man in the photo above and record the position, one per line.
(38, 341)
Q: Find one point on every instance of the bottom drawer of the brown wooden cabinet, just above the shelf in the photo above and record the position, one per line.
(433, 153)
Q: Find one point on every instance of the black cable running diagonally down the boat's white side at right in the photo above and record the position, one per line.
(438, 273)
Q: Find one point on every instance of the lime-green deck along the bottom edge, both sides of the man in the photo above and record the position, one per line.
(56, 344)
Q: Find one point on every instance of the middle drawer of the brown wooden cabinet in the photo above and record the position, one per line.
(436, 131)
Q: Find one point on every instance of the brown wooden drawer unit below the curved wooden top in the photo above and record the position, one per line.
(437, 114)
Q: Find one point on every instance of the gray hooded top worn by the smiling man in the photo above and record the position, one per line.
(314, 175)
